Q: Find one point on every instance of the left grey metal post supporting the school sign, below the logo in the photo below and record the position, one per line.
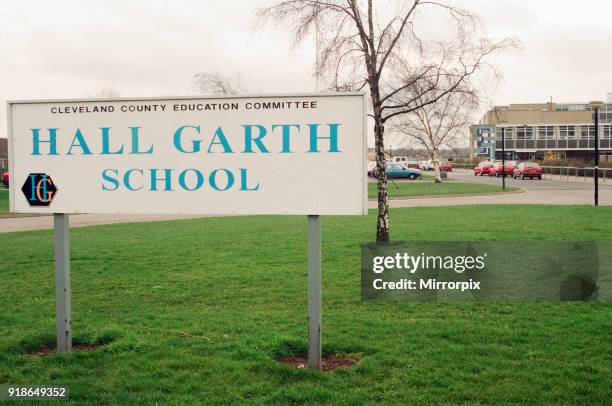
(63, 314)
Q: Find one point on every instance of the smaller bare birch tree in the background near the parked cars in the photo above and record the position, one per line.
(439, 124)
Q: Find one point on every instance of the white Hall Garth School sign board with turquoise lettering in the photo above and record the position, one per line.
(276, 154)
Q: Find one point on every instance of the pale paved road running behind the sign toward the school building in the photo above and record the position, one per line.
(535, 192)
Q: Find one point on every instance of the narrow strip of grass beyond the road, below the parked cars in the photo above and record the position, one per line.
(423, 188)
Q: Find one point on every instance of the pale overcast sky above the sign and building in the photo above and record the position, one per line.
(75, 48)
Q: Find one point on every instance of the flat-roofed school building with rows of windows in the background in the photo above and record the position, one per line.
(531, 130)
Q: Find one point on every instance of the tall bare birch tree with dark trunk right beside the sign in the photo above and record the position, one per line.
(360, 46)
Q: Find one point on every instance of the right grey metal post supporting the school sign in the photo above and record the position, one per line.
(314, 292)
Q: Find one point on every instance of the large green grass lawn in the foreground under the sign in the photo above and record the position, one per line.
(241, 283)
